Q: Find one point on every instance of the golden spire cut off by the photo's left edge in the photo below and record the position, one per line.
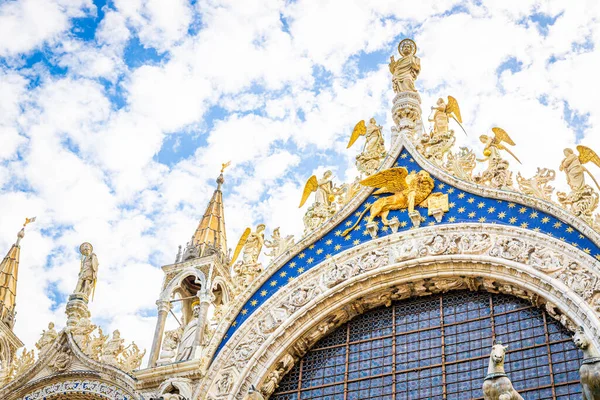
(9, 273)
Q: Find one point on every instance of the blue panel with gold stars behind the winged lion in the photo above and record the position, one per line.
(465, 207)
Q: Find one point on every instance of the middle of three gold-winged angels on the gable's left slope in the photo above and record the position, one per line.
(324, 205)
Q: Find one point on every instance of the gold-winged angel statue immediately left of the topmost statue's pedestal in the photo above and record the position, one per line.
(373, 151)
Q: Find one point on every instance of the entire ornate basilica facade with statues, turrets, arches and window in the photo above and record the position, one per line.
(433, 275)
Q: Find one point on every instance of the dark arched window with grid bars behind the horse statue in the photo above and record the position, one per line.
(438, 348)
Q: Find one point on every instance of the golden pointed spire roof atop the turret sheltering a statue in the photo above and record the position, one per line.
(210, 236)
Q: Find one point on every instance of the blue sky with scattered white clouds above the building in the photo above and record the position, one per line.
(116, 116)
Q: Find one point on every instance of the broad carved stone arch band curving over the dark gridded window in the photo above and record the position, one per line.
(563, 280)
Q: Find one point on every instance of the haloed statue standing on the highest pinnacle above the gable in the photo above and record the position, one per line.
(406, 69)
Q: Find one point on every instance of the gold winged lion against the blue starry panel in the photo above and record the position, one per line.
(408, 191)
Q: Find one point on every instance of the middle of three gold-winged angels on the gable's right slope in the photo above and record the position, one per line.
(497, 174)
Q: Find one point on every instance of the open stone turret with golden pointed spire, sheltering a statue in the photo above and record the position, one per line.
(198, 285)
